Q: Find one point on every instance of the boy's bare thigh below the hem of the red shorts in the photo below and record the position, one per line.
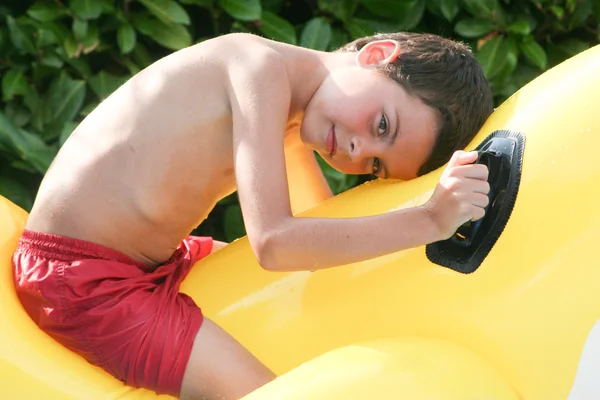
(220, 367)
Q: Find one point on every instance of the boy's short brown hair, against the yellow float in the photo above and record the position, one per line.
(445, 75)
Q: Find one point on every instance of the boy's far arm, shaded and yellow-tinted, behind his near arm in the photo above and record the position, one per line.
(308, 186)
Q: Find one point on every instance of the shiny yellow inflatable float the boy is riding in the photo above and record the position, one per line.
(507, 309)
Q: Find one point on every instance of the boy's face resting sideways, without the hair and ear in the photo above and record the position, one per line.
(362, 122)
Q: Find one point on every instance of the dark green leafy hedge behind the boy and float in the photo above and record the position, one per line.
(59, 59)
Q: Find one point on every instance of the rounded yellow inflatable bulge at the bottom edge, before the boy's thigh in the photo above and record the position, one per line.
(411, 368)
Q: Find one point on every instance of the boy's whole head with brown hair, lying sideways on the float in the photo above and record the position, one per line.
(439, 101)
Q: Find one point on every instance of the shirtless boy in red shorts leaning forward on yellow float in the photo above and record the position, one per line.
(106, 244)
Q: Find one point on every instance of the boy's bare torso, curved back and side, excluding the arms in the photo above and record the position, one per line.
(149, 164)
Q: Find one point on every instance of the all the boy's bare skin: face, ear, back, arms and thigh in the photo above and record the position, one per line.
(149, 164)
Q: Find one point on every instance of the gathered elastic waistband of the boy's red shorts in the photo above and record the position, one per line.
(64, 248)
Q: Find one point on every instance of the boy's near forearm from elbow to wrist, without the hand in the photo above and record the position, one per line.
(318, 243)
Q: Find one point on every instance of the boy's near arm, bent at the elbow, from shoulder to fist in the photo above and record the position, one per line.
(260, 101)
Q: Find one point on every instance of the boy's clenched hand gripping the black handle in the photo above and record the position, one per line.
(461, 194)
